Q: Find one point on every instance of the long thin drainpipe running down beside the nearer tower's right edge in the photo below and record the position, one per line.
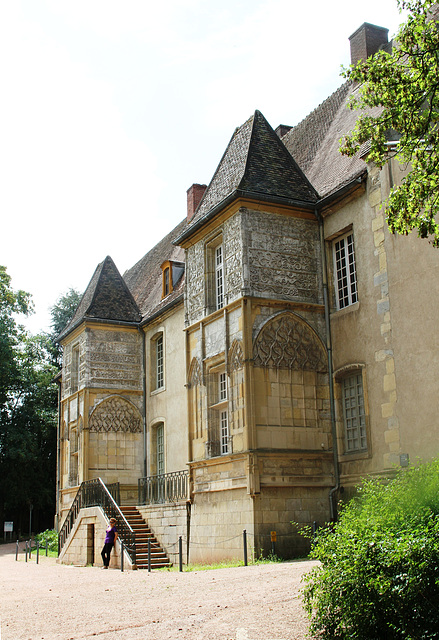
(332, 507)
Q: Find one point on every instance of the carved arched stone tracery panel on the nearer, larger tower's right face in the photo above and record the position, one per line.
(287, 342)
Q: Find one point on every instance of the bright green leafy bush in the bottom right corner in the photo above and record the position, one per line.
(379, 572)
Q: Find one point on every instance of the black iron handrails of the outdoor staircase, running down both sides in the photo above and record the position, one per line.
(94, 493)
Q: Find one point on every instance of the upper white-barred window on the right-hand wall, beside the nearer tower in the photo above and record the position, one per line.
(345, 271)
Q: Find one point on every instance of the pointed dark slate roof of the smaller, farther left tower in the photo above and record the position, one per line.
(107, 297)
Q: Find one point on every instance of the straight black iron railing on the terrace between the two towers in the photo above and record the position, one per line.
(167, 487)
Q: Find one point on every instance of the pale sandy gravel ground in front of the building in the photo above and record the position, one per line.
(58, 602)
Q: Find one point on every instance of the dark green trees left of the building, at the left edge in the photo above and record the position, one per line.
(28, 409)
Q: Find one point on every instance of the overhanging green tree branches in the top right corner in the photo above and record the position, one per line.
(404, 85)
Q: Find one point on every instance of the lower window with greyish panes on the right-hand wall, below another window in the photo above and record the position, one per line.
(353, 413)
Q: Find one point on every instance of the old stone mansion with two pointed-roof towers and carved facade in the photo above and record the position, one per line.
(270, 352)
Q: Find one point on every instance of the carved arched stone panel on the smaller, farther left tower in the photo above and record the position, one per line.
(115, 414)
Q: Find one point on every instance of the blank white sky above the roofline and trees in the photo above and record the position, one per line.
(111, 109)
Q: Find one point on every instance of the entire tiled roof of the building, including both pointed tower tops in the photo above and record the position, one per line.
(304, 167)
